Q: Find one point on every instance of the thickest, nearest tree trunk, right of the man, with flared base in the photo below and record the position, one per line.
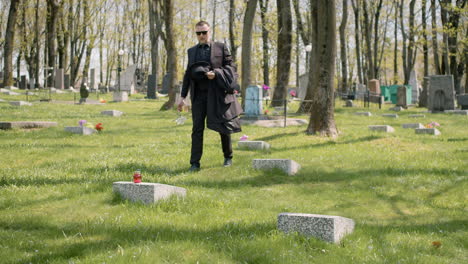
(322, 121)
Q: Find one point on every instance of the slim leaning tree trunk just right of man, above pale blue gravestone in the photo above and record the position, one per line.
(247, 46)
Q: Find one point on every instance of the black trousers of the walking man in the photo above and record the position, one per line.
(199, 111)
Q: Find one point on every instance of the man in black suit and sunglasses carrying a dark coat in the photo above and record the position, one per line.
(209, 77)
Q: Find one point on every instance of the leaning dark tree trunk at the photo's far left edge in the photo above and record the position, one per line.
(9, 43)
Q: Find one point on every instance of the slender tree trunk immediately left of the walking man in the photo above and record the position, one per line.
(167, 7)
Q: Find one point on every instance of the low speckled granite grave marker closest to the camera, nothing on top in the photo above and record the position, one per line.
(325, 227)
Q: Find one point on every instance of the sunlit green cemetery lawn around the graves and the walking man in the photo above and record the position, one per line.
(406, 192)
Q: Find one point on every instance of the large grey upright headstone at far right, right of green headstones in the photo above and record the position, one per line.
(441, 93)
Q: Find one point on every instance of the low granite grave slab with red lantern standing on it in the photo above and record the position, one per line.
(146, 192)
